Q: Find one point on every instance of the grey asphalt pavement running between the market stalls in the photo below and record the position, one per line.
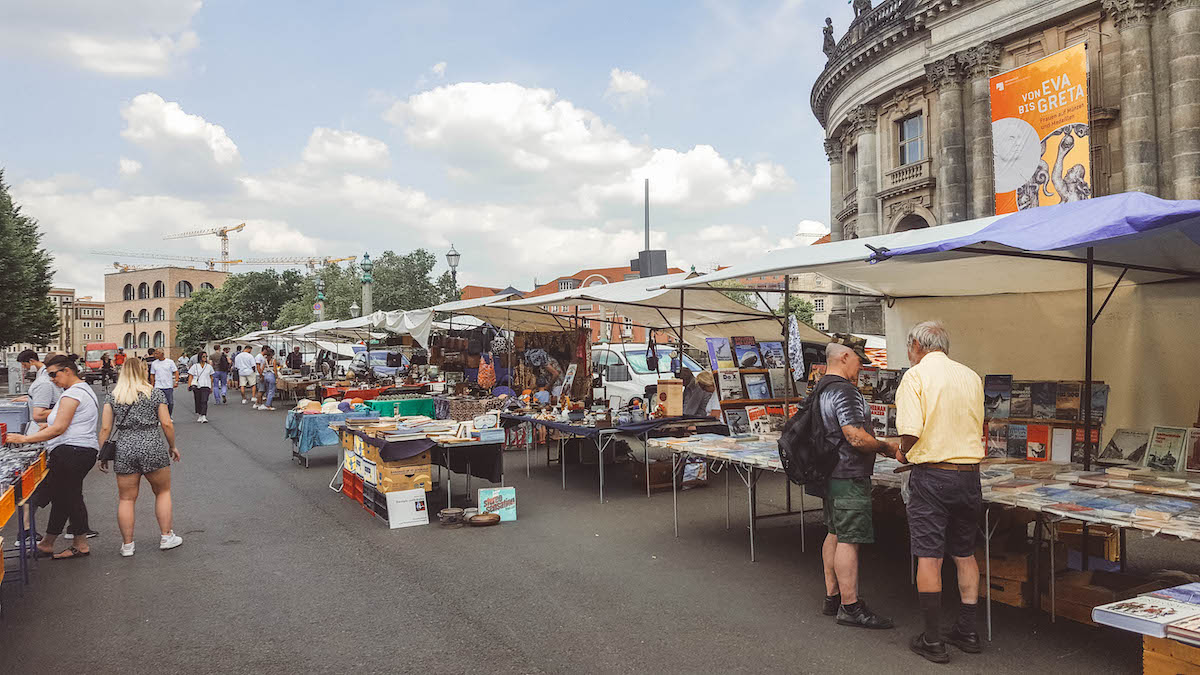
(280, 575)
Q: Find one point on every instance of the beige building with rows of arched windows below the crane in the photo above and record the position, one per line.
(141, 306)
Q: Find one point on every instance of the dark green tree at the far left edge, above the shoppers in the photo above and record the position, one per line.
(26, 278)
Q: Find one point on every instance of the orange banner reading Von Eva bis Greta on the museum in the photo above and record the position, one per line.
(1040, 133)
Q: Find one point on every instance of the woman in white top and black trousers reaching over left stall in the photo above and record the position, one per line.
(74, 445)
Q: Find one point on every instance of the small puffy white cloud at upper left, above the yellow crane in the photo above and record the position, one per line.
(163, 127)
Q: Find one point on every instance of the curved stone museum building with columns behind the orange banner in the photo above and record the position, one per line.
(905, 104)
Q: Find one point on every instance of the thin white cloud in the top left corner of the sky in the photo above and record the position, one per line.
(124, 39)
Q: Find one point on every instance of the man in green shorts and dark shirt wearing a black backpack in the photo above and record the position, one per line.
(847, 427)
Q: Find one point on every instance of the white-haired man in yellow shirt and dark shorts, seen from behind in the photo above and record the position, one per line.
(940, 419)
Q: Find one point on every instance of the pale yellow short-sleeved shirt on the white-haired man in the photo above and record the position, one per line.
(940, 402)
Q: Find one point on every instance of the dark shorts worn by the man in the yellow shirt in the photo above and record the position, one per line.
(944, 512)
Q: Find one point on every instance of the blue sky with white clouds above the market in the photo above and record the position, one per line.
(519, 133)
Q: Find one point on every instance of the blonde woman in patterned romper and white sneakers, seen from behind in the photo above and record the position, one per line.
(146, 446)
